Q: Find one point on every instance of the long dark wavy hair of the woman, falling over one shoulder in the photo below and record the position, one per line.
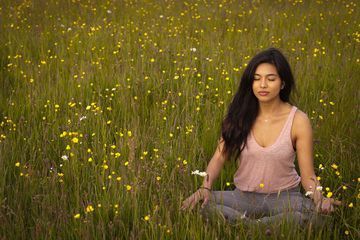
(244, 107)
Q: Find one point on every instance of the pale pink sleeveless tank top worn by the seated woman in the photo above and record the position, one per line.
(268, 169)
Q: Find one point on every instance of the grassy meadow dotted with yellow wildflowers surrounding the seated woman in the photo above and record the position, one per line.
(107, 106)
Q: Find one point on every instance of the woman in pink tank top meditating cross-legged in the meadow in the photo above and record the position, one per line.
(265, 131)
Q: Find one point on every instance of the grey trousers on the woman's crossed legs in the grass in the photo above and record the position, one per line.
(237, 205)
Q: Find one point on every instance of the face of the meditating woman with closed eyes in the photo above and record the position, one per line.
(267, 83)
